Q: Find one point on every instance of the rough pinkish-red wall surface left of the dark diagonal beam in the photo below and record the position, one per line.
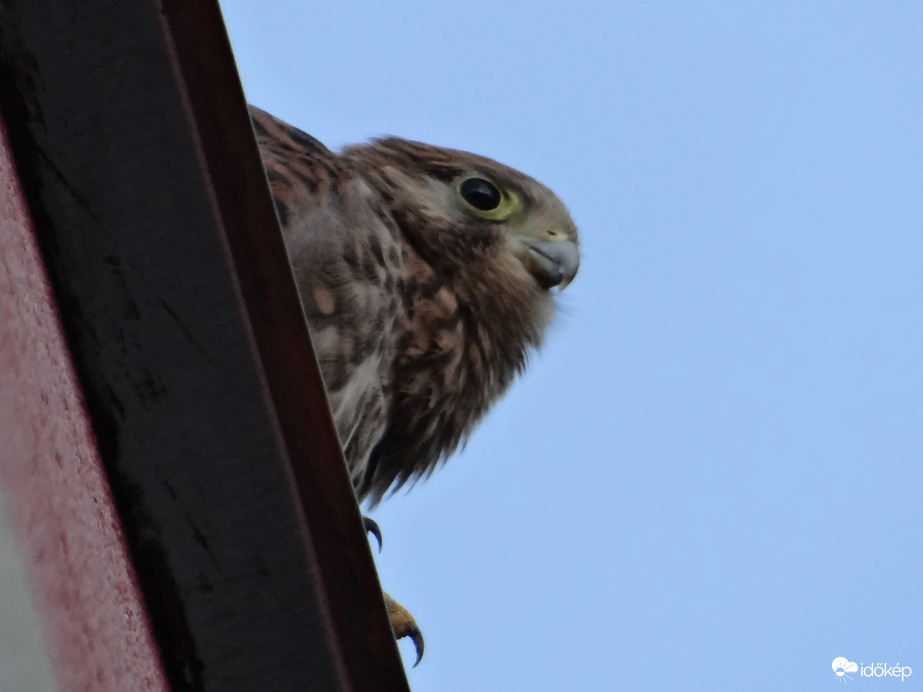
(54, 489)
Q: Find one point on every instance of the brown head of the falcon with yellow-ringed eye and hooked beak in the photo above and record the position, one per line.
(459, 210)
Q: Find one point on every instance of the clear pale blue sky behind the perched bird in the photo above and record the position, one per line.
(711, 476)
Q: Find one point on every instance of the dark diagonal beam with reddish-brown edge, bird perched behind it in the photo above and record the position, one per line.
(135, 151)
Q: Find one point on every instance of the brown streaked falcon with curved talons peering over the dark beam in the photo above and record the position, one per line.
(427, 276)
